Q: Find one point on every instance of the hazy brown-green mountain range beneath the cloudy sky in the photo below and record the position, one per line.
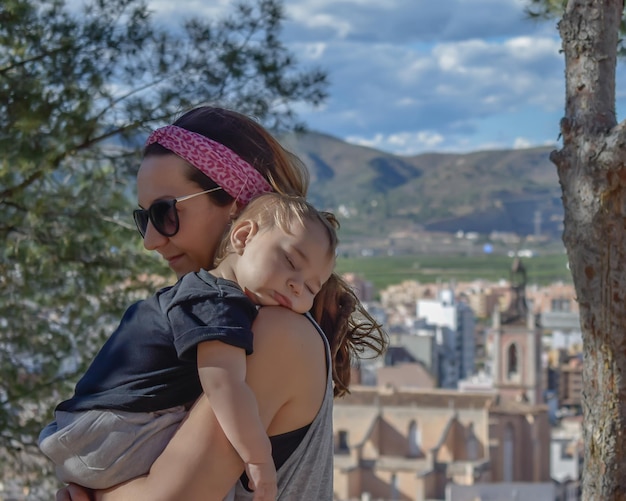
(375, 193)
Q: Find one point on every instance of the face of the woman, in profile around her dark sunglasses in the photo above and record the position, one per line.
(202, 223)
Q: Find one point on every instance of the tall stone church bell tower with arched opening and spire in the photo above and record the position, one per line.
(516, 338)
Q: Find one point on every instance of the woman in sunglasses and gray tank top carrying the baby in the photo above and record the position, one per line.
(292, 370)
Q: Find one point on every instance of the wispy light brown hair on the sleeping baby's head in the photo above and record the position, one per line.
(278, 210)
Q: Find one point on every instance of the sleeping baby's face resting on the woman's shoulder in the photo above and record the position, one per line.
(286, 268)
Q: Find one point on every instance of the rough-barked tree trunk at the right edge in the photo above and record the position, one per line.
(592, 172)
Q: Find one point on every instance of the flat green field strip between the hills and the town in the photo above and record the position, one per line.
(384, 270)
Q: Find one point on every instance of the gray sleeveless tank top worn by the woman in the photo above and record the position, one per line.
(307, 475)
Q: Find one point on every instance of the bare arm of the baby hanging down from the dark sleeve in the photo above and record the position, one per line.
(222, 371)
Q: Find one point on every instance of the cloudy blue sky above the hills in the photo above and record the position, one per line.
(415, 76)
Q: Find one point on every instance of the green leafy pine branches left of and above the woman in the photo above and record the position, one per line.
(76, 86)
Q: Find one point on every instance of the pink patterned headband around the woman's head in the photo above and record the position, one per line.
(231, 172)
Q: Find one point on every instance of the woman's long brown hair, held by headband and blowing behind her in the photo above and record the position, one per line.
(351, 331)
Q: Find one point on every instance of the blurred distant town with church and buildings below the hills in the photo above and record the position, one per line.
(477, 397)
